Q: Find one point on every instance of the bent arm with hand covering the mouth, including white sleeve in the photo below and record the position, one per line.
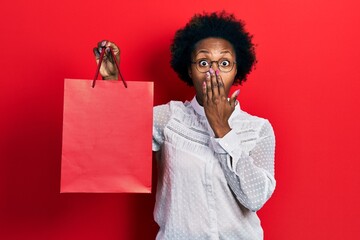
(250, 174)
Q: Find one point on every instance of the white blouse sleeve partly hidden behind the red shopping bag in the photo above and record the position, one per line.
(161, 117)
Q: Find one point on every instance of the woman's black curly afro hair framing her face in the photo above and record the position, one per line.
(218, 25)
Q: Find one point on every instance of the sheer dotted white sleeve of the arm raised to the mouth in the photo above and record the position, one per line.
(250, 174)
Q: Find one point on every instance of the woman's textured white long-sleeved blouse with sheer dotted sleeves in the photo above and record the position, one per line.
(211, 188)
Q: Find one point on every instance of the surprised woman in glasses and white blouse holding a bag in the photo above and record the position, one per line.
(216, 162)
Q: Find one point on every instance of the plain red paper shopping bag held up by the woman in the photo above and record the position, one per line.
(107, 135)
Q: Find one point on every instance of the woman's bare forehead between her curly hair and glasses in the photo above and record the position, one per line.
(213, 45)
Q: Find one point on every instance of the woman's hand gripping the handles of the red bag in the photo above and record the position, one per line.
(108, 68)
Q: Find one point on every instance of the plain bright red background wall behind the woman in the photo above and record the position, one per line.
(306, 83)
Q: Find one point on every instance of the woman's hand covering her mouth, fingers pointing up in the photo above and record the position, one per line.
(218, 108)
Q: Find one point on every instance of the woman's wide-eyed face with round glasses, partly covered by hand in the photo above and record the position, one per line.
(212, 49)
